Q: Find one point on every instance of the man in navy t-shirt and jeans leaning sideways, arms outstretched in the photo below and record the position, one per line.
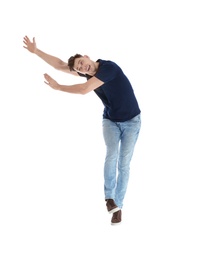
(121, 116)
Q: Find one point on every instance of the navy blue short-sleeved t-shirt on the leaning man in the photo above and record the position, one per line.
(117, 95)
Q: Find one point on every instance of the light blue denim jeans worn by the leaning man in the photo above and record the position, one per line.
(120, 139)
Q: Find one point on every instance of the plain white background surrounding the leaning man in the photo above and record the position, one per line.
(52, 150)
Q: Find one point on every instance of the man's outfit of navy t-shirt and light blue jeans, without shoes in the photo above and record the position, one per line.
(121, 127)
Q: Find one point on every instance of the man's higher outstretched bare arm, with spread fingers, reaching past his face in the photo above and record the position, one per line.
(51, 60)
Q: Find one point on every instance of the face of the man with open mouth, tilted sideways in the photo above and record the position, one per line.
(84, 65)
